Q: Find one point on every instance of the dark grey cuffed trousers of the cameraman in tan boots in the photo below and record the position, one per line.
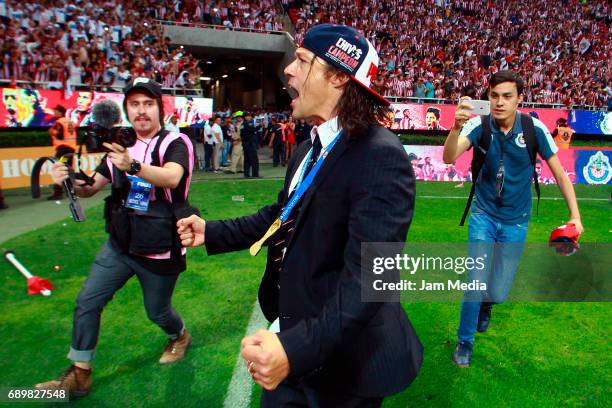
(109, 272)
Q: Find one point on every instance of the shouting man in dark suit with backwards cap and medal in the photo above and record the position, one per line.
(351, 183)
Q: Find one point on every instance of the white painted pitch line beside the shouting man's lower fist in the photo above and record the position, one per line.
(241, 386)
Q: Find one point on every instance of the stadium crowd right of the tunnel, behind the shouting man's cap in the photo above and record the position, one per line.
(442, 48)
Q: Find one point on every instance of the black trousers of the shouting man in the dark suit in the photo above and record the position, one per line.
(289, 394)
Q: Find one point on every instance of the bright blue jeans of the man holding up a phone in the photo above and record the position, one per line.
(504, 243)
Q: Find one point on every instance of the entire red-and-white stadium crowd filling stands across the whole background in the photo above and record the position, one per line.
(429, 48)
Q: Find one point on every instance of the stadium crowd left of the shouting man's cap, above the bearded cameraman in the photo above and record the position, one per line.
(105, 43)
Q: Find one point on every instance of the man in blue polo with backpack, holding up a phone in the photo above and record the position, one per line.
(505, 143)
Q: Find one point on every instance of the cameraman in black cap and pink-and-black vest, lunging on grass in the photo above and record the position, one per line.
(145, 246)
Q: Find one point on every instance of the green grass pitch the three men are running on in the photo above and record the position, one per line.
(534, 354)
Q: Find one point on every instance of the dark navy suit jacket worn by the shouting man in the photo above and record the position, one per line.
(364, 192)
